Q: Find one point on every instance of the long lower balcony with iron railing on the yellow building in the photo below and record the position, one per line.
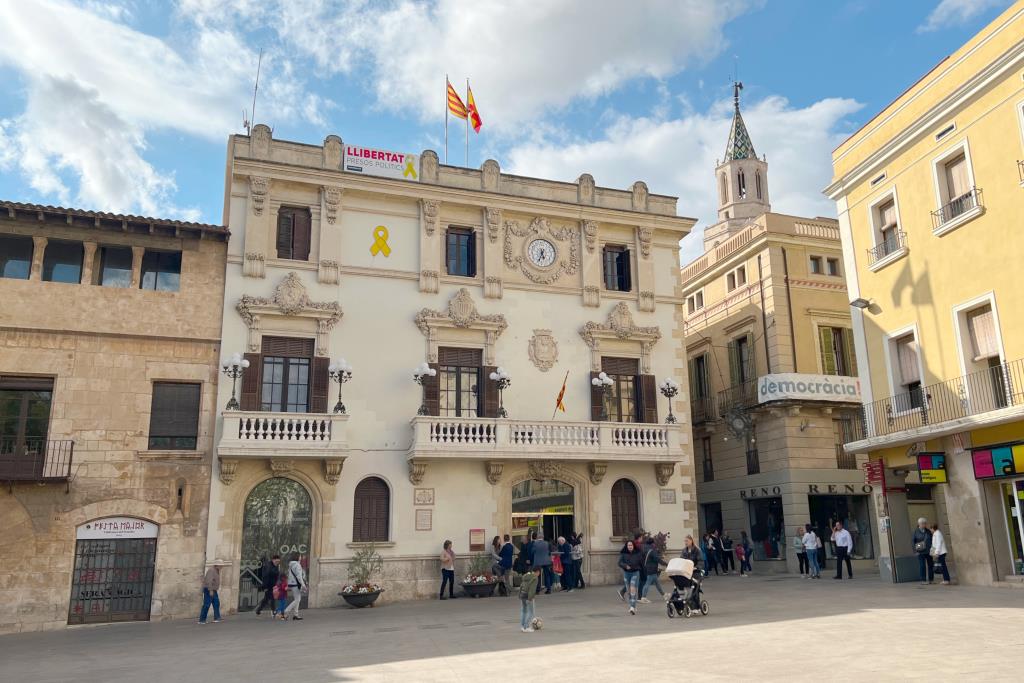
(987, 398)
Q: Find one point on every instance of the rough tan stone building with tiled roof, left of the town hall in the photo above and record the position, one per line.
(109, 357)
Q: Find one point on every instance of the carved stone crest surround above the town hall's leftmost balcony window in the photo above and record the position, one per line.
(290, 300)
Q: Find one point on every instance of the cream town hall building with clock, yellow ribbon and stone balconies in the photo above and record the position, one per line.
(392, 262)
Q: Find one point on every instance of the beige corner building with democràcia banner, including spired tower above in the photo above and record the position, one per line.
(774, 376)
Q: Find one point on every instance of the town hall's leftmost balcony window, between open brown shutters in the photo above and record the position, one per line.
(286, 374)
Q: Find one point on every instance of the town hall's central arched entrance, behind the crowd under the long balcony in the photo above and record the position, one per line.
(547, 507)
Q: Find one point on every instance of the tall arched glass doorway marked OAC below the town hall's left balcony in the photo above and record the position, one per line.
(279, 520)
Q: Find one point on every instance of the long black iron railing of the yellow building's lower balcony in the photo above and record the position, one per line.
(984, 392)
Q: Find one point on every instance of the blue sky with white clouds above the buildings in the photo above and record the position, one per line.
(125, 106)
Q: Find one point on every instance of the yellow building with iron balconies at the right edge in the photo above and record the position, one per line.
(929, 198)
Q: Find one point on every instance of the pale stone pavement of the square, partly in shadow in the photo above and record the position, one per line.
(765, 628)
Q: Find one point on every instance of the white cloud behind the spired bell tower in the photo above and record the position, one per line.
(677, 156)
